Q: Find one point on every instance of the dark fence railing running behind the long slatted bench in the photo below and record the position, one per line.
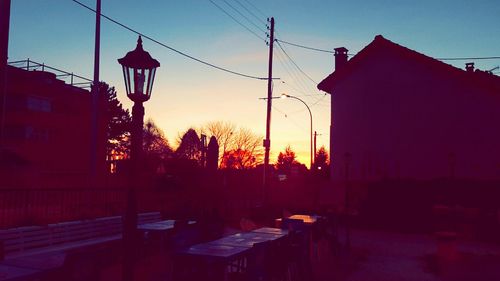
(20, 207)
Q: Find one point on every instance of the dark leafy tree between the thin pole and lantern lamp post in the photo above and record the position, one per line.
(118, 122)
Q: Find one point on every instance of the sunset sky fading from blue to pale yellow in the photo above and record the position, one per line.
(60, 33)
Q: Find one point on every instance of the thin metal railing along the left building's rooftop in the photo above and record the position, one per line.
(68, 77)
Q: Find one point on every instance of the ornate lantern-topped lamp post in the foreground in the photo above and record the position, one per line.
(139, 70)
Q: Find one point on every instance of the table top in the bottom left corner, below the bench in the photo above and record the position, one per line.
(48, 261)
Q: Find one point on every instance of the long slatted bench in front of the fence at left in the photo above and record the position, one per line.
(23, 241)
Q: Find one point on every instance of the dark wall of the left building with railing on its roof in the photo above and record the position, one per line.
(47, 124)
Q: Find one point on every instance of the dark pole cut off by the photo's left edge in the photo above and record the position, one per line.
(4, 46)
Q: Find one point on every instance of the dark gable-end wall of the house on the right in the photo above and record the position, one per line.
(402, 119)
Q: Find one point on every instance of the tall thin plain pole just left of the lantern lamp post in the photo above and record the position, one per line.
(94, 135)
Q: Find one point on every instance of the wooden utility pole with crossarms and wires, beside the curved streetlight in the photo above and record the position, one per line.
(267, 141)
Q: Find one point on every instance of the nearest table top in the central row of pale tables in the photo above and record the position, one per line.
(215, 250)
